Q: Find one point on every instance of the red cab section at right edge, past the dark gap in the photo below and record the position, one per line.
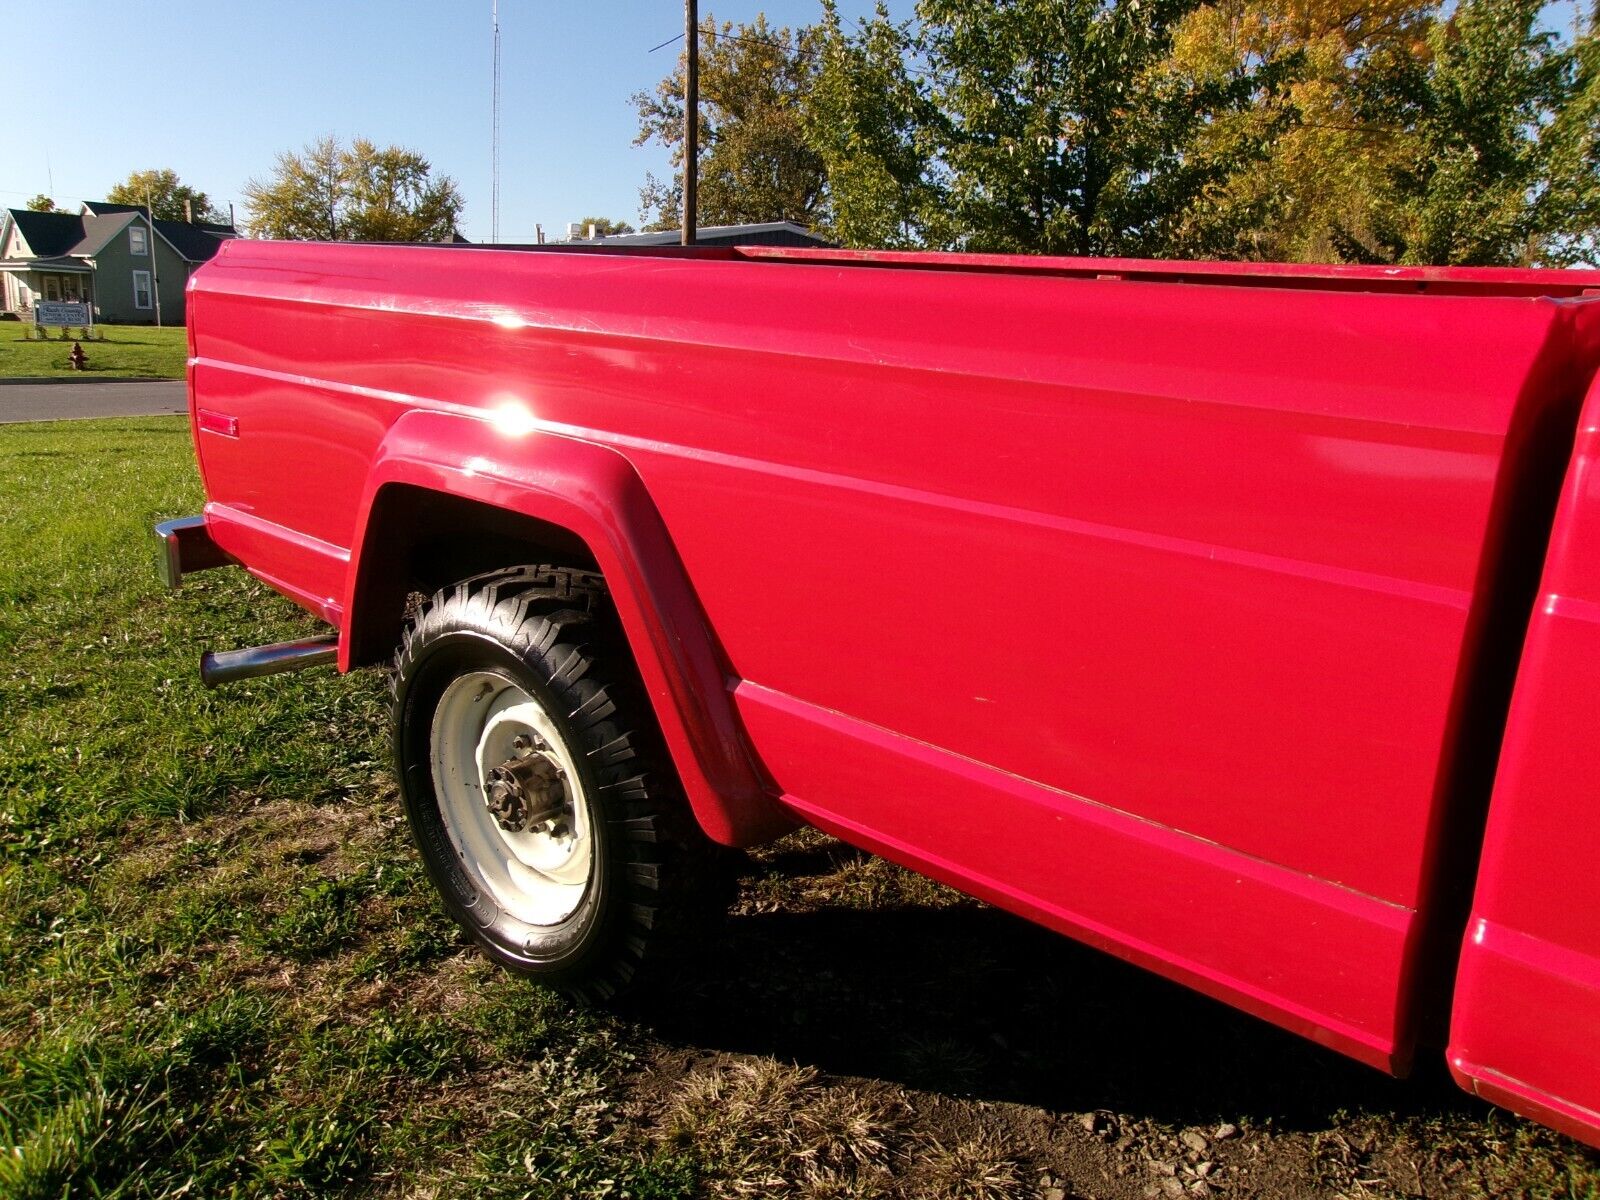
(1527, 1018)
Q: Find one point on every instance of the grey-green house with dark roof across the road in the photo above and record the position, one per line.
(108, 255)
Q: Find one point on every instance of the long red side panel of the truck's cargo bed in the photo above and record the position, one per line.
(1153, 607)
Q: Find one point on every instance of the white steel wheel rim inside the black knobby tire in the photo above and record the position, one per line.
(535, 874)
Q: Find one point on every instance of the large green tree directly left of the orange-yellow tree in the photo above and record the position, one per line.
(1055, 134)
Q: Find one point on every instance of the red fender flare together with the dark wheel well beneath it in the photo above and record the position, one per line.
(457, 494)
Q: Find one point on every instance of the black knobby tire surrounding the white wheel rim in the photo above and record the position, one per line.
(654, 878)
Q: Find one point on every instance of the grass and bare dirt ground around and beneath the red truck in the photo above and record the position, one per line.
(226, 977)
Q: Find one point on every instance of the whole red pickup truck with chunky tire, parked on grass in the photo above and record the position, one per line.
(1242, 622)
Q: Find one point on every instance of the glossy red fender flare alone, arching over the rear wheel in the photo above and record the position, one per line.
(598, 497)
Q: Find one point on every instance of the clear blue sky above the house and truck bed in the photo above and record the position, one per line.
(218, 90)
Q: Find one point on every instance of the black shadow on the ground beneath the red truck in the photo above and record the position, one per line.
(974, 1002)
